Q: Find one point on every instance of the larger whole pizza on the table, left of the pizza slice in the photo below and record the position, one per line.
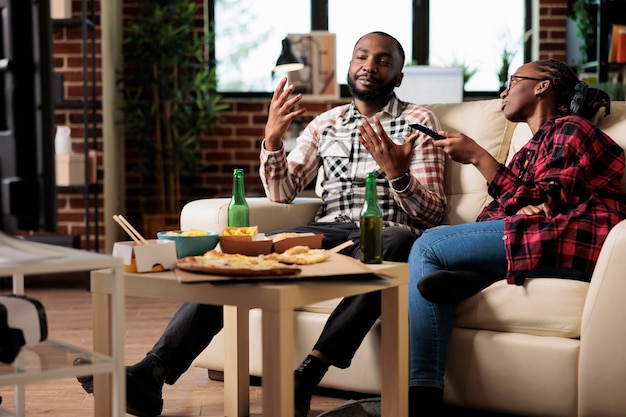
(218, 263)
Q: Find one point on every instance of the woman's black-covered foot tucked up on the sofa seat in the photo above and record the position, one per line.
(453, 286)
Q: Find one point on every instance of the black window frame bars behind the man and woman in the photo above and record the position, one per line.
(420, 40)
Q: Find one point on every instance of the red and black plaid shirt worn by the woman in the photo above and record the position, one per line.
(576, 169)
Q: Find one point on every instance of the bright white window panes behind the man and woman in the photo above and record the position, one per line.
(248, 35)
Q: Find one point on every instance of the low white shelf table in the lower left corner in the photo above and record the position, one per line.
(52, 359)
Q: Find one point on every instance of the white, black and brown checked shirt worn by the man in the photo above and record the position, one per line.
(331, 141)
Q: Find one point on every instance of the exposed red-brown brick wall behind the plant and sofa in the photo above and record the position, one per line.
(234, 144)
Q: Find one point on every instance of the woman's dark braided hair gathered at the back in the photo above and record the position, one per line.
(572, 95)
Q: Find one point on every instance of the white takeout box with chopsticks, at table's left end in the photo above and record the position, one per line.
(155, 256)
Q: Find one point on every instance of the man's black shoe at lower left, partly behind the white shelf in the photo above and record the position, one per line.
(143, 387)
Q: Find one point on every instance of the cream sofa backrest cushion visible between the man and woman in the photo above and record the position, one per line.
(484, 122)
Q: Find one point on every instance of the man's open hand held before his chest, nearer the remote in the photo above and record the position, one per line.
(392, 158)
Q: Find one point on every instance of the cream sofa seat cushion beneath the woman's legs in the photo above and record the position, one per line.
(542, 307)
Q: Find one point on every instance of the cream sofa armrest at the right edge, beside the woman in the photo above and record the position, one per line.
(602, 366)
